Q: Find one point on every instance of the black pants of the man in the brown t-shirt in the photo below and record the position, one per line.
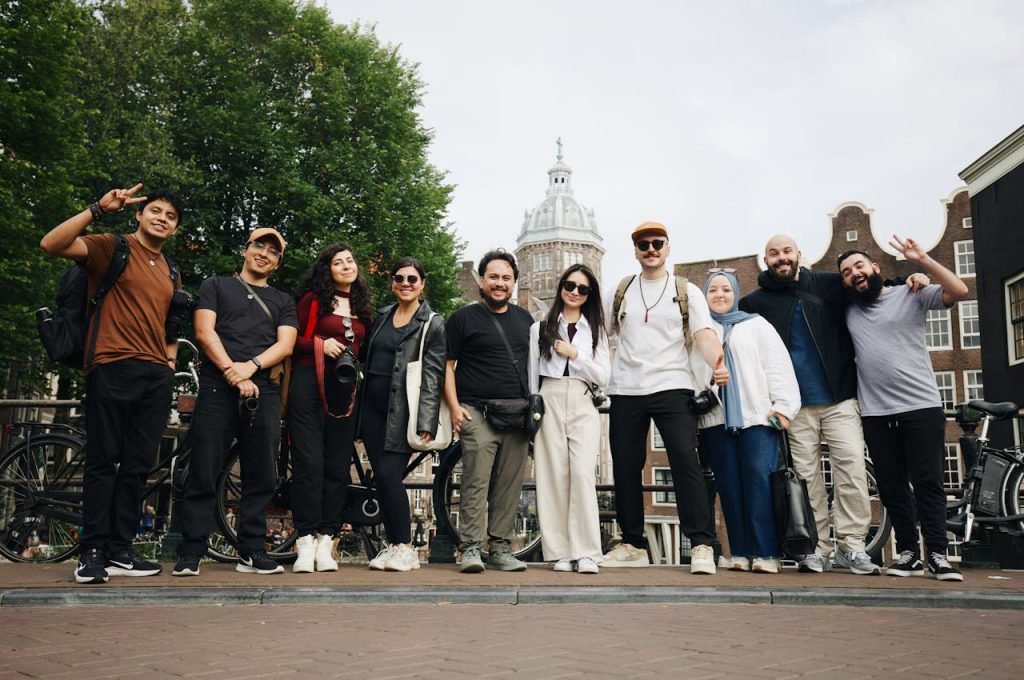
(126, 410)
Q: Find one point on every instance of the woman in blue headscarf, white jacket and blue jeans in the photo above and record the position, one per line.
(741, 436)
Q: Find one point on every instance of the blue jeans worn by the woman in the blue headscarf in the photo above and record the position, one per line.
(743, 463)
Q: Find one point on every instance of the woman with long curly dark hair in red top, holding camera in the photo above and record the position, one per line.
(333, 306)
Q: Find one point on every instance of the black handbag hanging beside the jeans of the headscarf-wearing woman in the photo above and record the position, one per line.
(795, 526)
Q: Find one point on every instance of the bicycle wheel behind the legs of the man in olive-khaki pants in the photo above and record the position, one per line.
(446, 497)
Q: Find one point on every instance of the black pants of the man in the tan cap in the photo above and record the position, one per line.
(216, 424)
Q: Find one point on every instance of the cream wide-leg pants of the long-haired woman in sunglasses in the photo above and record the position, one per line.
(566, 454)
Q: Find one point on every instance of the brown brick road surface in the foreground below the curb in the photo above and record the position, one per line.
(542, 642)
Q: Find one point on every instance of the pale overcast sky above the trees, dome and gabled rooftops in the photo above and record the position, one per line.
(729, 121)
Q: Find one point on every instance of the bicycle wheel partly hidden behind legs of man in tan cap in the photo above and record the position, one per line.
(281, 532)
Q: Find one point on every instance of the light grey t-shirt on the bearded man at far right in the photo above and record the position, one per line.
(894, 371)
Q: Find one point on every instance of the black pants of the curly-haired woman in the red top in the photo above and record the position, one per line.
(322, 457)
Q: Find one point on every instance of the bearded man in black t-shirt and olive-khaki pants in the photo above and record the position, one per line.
(480, 369)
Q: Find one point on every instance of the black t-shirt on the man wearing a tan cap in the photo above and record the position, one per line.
(242, 325)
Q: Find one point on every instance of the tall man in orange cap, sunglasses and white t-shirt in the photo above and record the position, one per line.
(656, 317)
